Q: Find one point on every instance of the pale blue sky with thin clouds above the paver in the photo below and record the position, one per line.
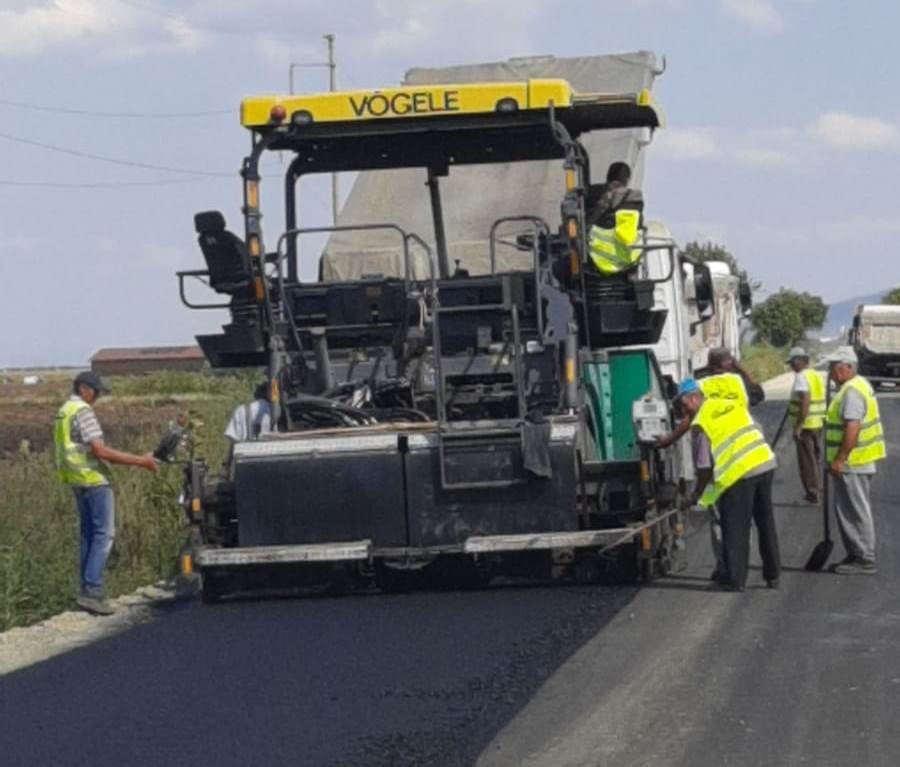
(783, 135)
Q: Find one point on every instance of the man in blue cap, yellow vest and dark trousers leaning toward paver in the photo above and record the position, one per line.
(735, 466)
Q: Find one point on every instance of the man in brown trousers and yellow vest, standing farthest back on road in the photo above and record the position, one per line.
(806, 410)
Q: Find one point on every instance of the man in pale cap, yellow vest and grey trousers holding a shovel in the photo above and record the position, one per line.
(854, 443)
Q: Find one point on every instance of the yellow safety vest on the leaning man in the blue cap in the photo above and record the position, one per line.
(737, 443)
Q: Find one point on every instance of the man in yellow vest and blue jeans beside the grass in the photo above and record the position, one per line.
(82, 463)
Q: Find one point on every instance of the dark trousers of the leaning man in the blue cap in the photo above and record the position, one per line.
(746, 500)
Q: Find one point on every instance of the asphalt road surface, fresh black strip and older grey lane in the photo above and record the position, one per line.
(669, 674)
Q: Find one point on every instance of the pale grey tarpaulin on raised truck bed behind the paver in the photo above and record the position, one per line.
(475, 196)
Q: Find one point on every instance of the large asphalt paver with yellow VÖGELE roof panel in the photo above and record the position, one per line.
(434, 416)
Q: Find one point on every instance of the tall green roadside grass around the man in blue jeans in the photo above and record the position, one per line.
(38, 521)
